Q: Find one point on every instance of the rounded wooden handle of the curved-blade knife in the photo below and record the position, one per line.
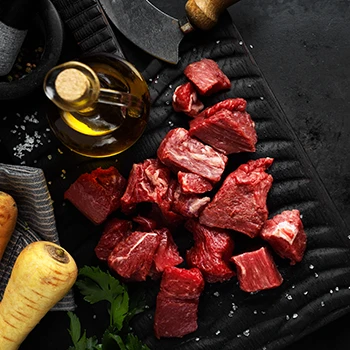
(204, 14)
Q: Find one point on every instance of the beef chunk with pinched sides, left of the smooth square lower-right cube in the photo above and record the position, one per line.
(211, 252)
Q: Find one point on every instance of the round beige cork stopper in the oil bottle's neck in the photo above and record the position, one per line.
(71, 84)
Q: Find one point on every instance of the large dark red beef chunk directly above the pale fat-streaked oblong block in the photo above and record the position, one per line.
(226, 131)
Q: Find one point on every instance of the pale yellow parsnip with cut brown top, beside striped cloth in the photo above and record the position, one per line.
(43, 274)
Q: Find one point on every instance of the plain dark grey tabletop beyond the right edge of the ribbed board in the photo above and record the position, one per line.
(303, 49)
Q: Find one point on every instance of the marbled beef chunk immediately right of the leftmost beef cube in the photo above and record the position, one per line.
(148, 182)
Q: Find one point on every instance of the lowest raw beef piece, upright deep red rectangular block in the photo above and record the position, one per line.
(177, 302)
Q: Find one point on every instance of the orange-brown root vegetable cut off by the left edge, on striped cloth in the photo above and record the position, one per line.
(8, 219)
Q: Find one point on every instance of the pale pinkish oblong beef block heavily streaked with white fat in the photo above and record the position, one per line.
(180, 152)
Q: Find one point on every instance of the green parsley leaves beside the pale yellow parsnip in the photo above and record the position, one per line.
(96, 286)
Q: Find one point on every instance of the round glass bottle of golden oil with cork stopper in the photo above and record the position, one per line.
(100, 104)
